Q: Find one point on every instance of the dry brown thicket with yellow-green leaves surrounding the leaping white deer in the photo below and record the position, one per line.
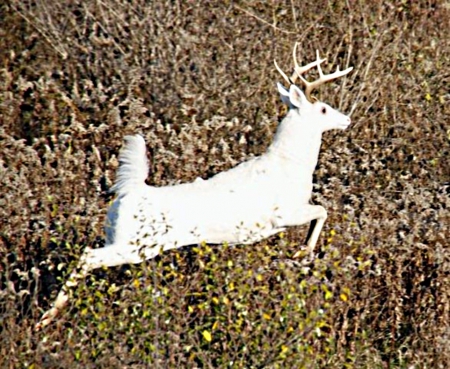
(197, 80)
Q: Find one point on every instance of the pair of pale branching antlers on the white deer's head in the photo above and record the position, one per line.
(298, 71)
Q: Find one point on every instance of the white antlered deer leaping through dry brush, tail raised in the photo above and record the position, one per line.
(256, 199)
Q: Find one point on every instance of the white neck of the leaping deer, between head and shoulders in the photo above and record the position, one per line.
(297, 142)
